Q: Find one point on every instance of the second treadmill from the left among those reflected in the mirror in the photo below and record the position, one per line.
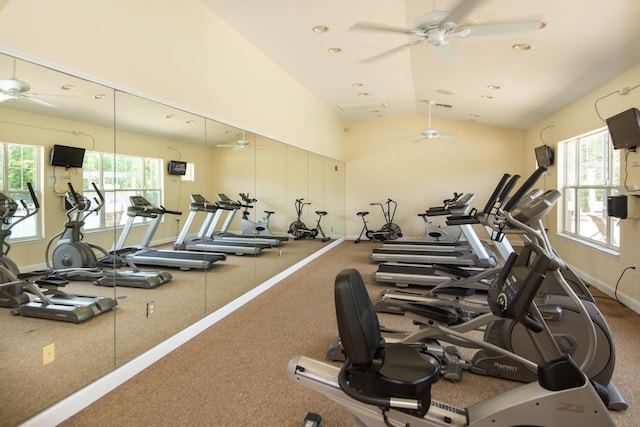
(203, 241)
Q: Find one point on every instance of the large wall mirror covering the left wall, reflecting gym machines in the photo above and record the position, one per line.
(169, 160)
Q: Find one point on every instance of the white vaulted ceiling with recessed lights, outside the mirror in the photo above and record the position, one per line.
(584, 44)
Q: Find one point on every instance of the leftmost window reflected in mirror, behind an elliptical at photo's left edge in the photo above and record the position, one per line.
(21, 165)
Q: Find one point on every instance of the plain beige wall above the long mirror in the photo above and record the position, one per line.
(178, 52)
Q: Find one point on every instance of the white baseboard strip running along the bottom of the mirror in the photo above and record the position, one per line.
(84, 397)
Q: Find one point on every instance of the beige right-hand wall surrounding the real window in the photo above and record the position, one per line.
(603, 270)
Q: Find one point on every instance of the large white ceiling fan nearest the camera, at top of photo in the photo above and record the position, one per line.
(437, 27)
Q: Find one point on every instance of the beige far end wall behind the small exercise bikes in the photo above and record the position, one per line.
(383, 161)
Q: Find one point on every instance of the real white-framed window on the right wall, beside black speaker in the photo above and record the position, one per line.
(589, 173)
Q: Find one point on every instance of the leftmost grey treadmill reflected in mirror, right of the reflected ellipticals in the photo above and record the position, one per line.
(143, 254)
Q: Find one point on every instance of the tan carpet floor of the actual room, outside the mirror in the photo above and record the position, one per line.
(234, 373)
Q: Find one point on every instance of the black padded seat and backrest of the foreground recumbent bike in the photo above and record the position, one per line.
(375, 372)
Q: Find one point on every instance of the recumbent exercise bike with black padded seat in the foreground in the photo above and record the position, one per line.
(384, 384)
